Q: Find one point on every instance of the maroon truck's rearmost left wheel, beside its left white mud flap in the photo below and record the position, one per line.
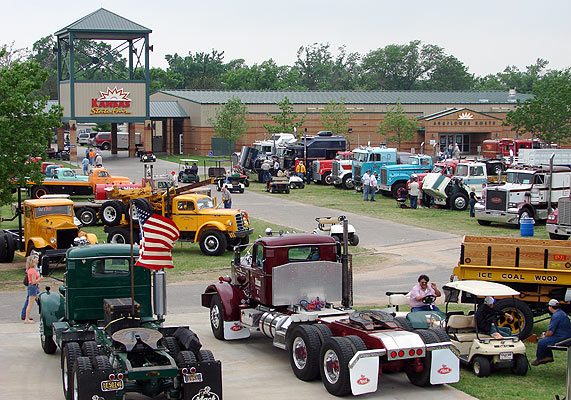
(334, 358)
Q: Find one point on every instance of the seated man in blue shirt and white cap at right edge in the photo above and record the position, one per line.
(559, 329)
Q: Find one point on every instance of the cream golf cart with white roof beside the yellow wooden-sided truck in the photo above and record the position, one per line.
(482, 352)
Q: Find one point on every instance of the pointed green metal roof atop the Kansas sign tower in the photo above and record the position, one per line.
(104, 21)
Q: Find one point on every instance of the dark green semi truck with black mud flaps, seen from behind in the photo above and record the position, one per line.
(112, 344)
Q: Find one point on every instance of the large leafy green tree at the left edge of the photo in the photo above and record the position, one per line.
(25, 124)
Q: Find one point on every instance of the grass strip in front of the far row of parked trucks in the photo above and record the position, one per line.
(457, 222)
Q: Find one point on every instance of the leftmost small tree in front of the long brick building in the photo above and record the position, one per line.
(230, 120)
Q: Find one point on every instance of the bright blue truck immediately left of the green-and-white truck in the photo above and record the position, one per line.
(393, 178)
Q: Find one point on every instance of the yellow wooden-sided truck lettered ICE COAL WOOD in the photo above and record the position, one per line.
(540, 269)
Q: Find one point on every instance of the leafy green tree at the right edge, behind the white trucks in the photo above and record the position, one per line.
(548, 114)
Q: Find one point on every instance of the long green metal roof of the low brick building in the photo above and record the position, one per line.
(348, 97)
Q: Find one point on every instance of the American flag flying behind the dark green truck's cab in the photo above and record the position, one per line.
(158, 235)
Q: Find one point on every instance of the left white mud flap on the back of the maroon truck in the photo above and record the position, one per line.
(364, 372)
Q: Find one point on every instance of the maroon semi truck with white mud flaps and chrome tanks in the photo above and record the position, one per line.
(286, 287)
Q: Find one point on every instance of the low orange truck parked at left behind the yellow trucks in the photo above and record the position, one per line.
(75, 187)
